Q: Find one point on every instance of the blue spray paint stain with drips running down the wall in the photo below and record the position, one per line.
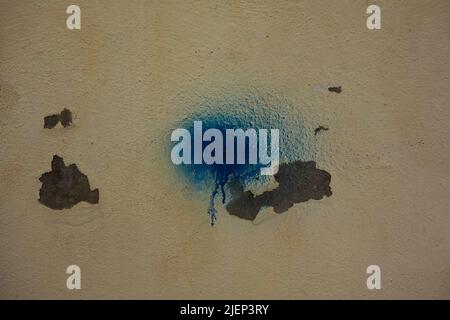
(251, 111)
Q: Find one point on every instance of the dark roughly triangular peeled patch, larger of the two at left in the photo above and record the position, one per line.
(65, 186)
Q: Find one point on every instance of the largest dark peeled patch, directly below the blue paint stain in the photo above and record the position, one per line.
(298, 182)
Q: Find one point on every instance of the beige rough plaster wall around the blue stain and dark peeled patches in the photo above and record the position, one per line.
(130, 72)
